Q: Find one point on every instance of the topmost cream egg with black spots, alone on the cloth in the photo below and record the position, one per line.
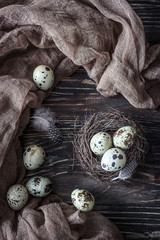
(43, 77)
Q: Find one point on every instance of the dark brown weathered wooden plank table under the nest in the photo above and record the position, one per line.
(133, 205)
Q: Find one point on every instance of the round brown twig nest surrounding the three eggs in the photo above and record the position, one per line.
(108, 122)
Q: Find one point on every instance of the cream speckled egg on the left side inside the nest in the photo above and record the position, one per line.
(100, 143)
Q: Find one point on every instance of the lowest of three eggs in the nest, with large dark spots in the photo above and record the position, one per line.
(113, 160)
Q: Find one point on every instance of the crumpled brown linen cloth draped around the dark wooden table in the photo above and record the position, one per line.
(107, 39)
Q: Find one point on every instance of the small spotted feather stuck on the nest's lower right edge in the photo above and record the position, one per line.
(127, 171)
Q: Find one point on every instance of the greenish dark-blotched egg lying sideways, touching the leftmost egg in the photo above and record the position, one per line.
(39, 186)
